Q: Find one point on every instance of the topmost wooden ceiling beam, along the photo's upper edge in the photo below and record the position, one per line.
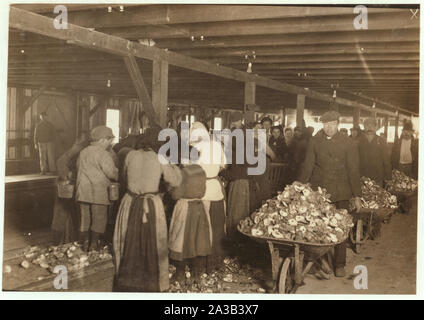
(179, 14)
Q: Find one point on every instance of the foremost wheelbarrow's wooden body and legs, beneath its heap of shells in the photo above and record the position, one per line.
(292, 260)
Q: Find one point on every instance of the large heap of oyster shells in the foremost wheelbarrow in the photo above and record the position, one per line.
(302, 214)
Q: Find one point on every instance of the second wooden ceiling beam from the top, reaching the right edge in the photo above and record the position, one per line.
(400, 20)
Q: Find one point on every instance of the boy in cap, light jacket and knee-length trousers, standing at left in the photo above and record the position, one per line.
(95, 170)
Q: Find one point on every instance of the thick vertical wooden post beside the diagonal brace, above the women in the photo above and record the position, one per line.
(160, 90)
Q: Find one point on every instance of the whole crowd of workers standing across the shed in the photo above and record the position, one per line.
(188, 212)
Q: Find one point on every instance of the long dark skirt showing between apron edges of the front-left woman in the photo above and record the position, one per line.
(141, 260)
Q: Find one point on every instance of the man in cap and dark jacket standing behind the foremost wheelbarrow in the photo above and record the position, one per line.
(332, 162)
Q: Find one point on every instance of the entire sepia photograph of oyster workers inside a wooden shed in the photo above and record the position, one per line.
(266, 149)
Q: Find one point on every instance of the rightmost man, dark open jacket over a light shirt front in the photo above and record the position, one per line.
(405, 152)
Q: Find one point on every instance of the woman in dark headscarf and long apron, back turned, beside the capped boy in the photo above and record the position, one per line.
(140, 241)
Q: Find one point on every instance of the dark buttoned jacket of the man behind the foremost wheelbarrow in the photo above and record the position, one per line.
(332, 164)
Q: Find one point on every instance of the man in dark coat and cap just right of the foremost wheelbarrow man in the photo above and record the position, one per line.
(374, 160)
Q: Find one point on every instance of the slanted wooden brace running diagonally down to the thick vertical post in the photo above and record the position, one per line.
(140, 87)
